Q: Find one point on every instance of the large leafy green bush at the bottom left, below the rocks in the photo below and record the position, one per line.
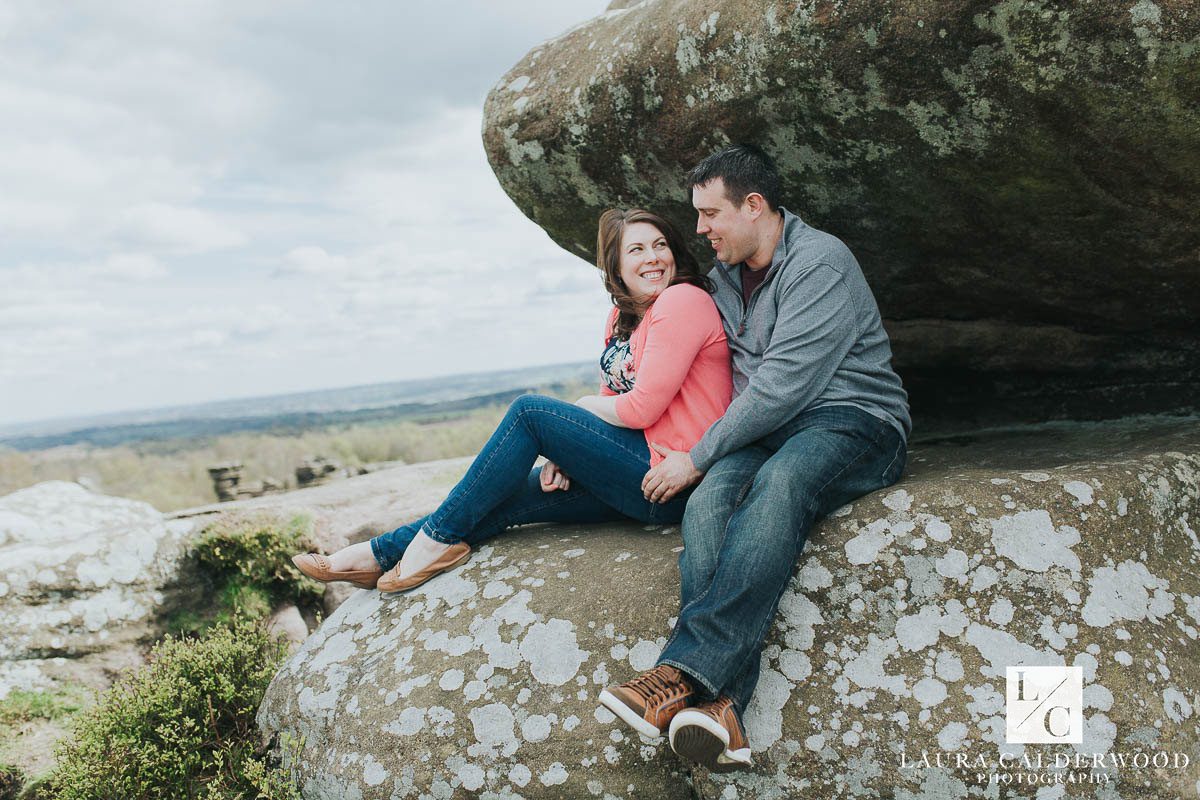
(181, 727)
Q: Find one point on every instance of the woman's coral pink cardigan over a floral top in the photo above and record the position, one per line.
(683, 380)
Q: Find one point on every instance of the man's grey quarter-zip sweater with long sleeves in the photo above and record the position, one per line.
(811, 336)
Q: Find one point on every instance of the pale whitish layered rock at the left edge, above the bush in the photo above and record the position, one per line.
(82, 584)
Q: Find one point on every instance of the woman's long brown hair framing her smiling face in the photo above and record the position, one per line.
(613, 228)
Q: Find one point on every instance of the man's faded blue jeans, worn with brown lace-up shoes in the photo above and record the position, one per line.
(748, 522)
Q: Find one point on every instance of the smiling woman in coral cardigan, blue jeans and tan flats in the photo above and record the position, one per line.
(667, 377)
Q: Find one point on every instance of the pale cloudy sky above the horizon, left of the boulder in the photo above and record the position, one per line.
(229, 199)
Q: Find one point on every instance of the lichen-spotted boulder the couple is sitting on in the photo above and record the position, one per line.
(892, 642)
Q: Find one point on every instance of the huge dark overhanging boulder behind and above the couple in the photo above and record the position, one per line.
(1019, 181)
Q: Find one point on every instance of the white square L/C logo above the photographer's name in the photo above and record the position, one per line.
(1046, 706)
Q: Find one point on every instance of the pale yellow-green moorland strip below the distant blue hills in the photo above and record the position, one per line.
(172, 474)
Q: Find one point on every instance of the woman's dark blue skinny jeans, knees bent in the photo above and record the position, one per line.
(502, 489)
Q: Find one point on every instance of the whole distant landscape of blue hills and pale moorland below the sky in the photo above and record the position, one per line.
(163, 456)
